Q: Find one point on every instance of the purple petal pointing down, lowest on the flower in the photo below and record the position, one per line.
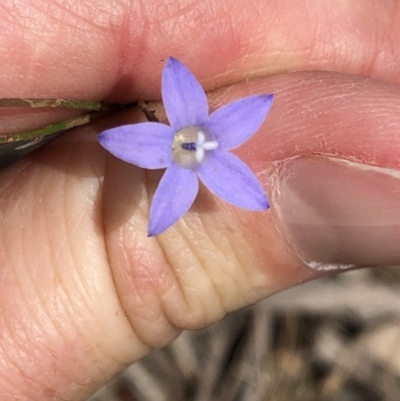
(174, 196)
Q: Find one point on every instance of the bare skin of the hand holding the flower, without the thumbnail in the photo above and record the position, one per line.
(83, 291)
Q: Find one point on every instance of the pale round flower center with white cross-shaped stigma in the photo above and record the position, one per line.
(190, 146)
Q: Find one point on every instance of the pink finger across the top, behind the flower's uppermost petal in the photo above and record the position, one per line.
(92, 50)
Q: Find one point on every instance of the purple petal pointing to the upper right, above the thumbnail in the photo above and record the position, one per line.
(235, 123)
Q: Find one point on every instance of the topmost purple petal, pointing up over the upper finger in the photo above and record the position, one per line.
(184, 99)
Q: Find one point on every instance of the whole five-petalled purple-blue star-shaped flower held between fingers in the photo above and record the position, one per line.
(195, 145)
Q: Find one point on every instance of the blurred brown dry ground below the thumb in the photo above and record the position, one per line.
(335, 339)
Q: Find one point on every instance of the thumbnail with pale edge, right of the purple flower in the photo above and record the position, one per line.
(336, 214)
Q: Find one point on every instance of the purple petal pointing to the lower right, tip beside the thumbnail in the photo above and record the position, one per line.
(227, 176)
